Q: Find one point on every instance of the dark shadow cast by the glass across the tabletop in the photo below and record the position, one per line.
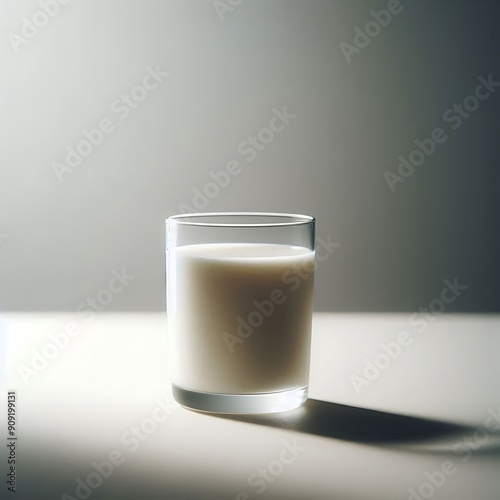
(349, 423)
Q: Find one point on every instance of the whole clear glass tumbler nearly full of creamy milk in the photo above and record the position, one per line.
(240, 302)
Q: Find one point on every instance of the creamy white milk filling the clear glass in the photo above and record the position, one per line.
(240, 317)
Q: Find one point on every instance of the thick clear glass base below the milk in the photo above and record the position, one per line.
(269, 402)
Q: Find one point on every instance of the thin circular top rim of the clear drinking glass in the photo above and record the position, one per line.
(288, 219)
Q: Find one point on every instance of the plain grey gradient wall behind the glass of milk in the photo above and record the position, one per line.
(60, 241)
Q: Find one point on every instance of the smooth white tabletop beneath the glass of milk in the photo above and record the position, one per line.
(375, 444)
